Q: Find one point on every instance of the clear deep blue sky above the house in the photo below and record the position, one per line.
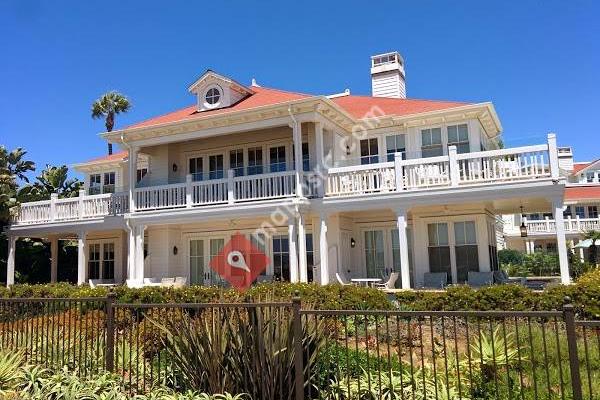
(537, 61)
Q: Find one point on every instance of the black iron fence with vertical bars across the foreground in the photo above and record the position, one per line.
(281, 351)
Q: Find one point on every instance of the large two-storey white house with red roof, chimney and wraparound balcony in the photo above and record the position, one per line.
(355, 185)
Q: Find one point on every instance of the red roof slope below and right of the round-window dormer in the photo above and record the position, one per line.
(261, 97)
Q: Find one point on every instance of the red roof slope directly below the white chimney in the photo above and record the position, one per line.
(360, 106)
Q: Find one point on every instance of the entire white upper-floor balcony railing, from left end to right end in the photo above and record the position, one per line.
(453, 171)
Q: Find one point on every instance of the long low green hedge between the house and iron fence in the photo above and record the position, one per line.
(584, 294)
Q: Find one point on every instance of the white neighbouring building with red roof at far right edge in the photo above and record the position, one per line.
(580, 211)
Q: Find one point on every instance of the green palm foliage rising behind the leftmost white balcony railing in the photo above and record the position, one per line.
(51, 180)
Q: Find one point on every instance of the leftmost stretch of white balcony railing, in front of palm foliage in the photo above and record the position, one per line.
(71, 209)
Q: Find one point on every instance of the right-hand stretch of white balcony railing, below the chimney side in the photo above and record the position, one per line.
(453, 170)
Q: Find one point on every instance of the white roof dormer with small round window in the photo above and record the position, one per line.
(217, 91)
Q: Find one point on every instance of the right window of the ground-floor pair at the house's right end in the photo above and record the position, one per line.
(467, 257)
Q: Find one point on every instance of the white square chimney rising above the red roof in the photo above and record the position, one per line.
(387, 75)
